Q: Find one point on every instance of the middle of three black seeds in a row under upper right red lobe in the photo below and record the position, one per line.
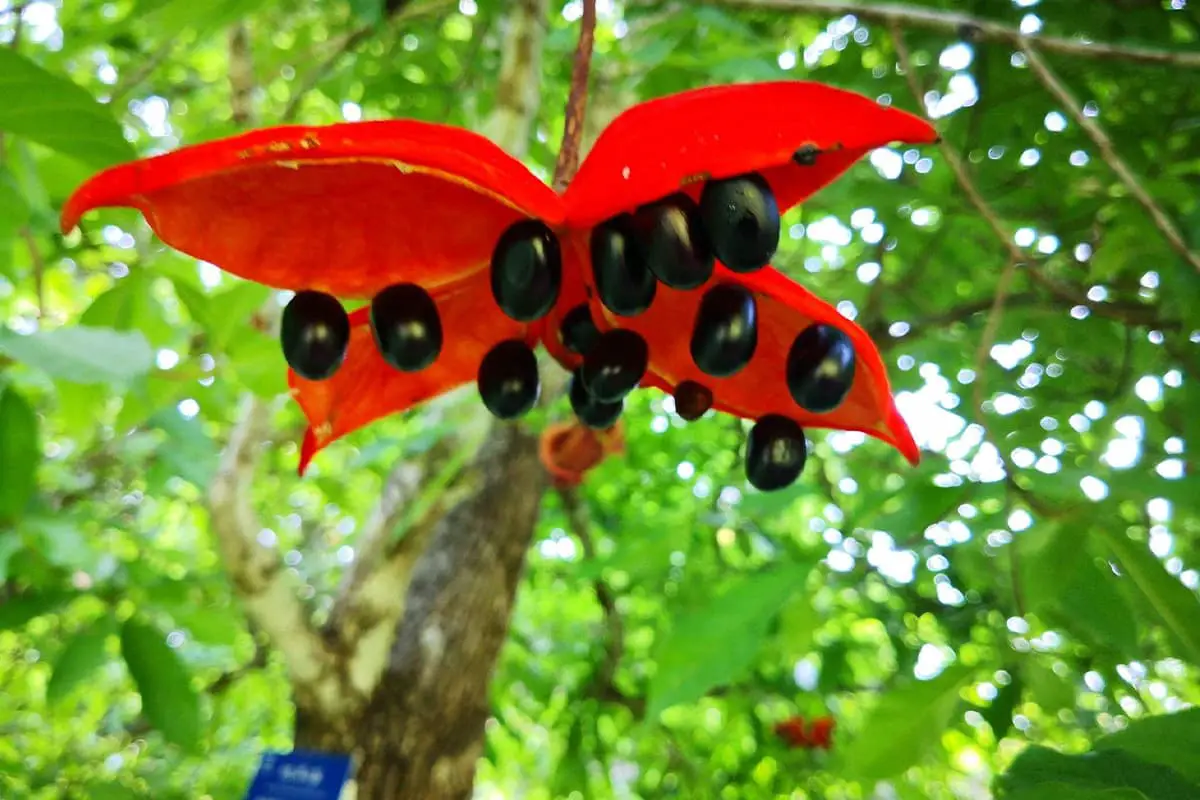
(674, 242)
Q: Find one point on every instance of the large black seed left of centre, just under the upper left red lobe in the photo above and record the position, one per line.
(527, 272)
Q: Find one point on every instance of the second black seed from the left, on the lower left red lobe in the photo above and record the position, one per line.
(406, 327)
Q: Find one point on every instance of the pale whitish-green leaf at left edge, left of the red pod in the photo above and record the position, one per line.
(82, 356)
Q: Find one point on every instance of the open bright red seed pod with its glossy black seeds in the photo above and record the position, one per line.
(652, 269)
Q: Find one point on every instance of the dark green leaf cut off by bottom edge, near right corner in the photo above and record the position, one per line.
(1112, 769)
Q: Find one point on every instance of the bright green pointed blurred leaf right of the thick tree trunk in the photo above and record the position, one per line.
(716, 642)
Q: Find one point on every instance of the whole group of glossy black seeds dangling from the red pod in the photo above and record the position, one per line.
(675, 242)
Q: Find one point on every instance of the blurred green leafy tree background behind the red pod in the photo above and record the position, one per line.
(1017, 617)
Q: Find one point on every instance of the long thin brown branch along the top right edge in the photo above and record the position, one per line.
(975, 28)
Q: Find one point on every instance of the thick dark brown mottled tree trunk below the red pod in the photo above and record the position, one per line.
(422, 732)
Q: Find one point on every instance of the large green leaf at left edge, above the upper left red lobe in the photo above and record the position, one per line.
(53, 112)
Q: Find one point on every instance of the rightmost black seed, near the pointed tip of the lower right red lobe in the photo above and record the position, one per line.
(820, 369)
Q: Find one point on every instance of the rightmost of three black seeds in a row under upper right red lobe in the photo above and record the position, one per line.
(742, 221)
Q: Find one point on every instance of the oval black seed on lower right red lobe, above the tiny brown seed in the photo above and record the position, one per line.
(727, 330)
